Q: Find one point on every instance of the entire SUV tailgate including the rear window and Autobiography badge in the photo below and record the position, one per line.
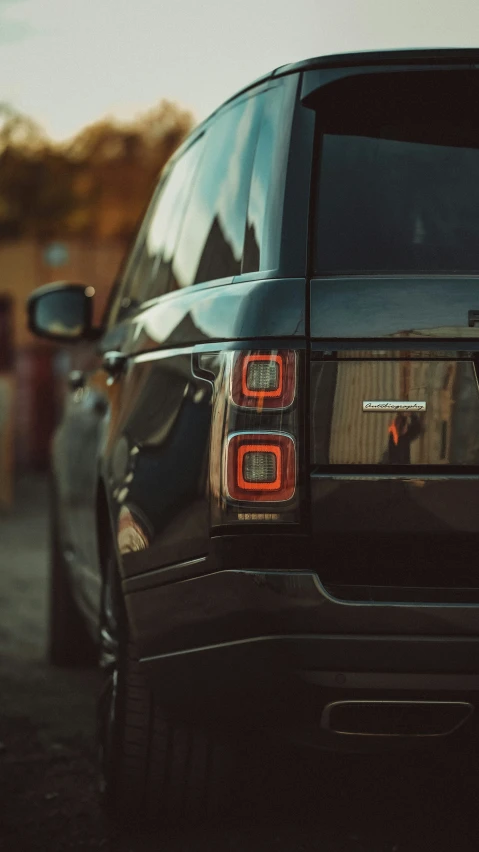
(394, 328)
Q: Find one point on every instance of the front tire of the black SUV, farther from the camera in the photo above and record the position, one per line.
(69, 643)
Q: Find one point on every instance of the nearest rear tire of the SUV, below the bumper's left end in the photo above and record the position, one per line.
(152, 769)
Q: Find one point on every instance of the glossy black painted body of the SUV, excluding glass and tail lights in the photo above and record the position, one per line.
(255, 620)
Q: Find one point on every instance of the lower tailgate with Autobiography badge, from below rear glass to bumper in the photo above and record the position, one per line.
(394, 451)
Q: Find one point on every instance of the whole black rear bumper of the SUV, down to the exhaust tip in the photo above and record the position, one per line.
(273, 648)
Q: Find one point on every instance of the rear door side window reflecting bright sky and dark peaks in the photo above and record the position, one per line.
(212, 235)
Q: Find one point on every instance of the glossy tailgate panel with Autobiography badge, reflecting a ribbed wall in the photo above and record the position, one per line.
(342, 433)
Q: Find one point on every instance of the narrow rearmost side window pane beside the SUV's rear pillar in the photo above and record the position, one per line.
(268, 170)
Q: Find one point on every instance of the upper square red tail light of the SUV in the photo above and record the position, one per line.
(264, 380)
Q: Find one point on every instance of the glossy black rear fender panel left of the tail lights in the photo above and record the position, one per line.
(158, 464)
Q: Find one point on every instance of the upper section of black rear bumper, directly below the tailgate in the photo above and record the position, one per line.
(236, 608)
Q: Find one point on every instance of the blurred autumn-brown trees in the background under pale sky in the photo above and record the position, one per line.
(95, 185)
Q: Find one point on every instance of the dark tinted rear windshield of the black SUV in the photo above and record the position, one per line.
(398, 176)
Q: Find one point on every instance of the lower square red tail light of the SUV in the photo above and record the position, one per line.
(261, 467)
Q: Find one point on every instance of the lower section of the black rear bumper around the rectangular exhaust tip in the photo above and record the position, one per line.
(292, 687)
